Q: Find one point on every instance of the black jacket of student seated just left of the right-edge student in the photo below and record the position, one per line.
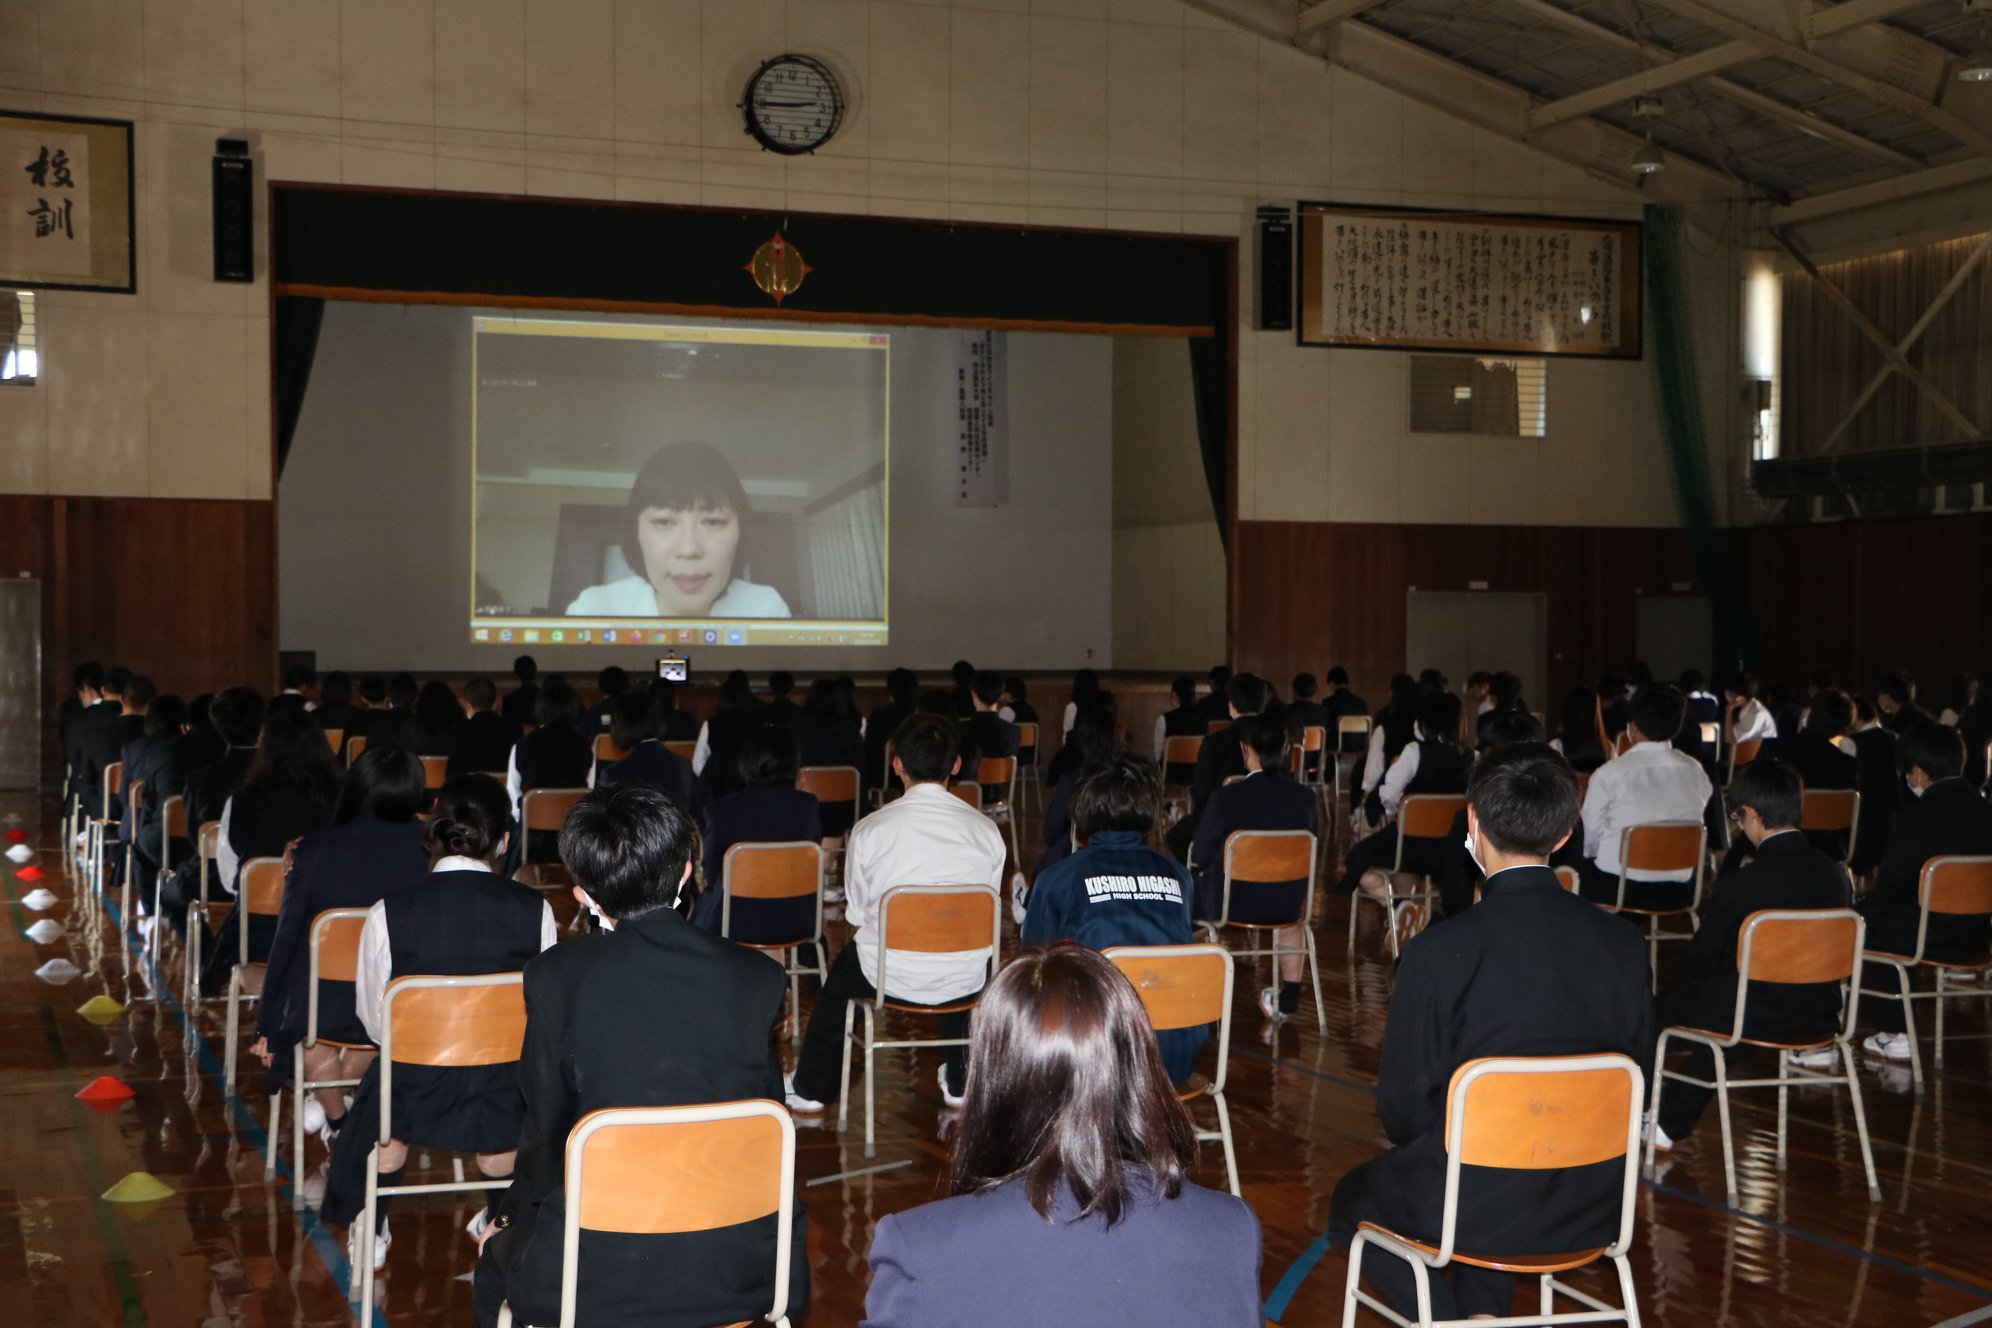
(1788, 873)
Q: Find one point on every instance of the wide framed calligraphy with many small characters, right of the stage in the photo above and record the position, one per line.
(1413, 280)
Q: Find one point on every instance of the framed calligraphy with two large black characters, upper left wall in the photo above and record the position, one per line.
(67, 216)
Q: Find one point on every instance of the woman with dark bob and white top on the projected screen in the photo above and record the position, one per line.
(682, 533)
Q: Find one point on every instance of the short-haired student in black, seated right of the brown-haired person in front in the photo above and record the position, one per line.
(1531, 971)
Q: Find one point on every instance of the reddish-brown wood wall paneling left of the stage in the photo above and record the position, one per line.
(180, 590)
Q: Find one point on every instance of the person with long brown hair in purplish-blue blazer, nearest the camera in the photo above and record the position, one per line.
(1069, 1196)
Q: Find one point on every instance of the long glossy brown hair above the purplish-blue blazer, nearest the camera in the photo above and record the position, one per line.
(1067, 1088)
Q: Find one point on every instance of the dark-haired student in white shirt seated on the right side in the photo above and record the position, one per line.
(1648, 783)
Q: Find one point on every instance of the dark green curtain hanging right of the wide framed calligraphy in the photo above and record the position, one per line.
(1670, 337)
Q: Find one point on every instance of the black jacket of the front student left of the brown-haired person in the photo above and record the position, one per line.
(601, 1034)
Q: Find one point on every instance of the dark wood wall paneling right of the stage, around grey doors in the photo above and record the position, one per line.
(1308, 596)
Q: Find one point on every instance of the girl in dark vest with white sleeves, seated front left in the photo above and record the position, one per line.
(461, 919)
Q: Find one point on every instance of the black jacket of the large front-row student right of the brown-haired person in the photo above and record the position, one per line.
(1531, 971)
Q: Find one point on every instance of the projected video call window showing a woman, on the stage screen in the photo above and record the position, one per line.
(678, 485)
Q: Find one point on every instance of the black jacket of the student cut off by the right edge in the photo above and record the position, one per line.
(1947, 819)
